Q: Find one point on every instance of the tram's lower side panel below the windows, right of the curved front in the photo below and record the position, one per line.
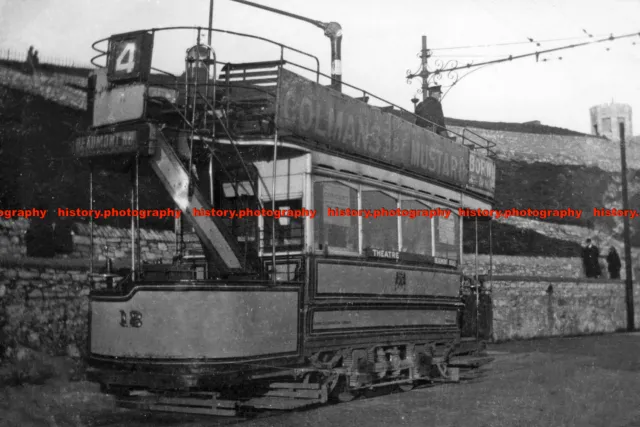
(362, 303)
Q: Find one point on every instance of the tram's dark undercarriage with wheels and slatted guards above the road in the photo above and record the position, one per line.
(338, 375)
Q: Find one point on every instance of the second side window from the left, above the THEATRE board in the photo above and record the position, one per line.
(381, 232)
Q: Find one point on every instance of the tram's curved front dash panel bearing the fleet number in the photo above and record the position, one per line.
(171, 323)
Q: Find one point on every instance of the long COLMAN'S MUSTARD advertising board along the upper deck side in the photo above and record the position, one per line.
(335, 120)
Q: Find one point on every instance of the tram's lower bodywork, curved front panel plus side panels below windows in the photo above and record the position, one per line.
(185, 327)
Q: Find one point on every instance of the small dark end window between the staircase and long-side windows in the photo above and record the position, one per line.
(289, 233)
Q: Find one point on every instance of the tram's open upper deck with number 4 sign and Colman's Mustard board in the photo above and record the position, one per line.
(253, 100)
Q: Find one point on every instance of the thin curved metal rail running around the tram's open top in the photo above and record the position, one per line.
(473, 144)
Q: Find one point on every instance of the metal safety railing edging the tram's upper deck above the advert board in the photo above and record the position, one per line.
(476, 143)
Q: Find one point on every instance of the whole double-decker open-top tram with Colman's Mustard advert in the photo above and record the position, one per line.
(270, 310)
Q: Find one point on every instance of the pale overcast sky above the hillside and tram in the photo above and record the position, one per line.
(381, 41)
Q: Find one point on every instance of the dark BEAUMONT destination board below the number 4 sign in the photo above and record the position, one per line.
(125, 141)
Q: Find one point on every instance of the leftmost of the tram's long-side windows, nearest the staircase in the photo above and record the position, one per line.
(334, 231)
